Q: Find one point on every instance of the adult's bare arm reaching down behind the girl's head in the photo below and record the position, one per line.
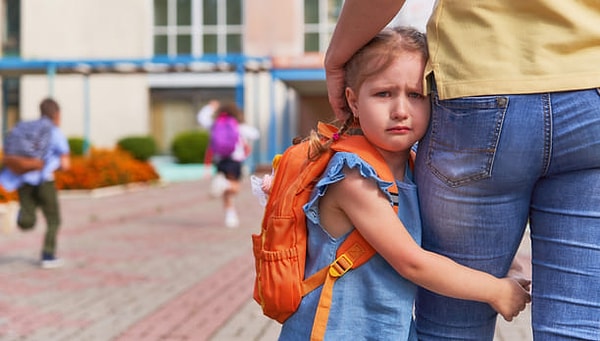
(359, 21)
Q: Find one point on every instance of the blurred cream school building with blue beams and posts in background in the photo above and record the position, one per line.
(145, 67)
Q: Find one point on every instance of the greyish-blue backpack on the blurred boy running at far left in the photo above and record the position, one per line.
(28, 140)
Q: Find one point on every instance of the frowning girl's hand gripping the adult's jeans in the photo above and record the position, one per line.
(512, 297)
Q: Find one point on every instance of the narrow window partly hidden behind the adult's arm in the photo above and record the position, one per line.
(320, 17)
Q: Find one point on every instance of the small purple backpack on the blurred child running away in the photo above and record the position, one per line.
(224, 135)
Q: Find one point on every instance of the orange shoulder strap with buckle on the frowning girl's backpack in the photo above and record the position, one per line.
(355, 250)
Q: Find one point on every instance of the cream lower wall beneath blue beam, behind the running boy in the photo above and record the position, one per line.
(118, 105)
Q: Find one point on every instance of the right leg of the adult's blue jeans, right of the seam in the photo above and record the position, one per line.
(565, 224)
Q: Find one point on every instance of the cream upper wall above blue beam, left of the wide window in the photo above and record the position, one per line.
(86, 28)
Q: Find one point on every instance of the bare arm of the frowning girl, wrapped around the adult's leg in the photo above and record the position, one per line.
(364, 206)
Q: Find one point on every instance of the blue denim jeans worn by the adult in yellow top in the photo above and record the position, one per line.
(488, 166)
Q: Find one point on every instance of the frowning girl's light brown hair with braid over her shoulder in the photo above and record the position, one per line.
(371, 59)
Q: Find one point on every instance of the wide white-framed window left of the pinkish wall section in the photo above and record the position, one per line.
(197, 27)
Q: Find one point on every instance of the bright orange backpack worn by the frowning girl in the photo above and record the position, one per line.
(280, 248)
